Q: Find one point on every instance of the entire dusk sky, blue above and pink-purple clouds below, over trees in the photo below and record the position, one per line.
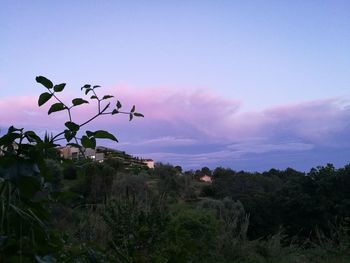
(242, 84)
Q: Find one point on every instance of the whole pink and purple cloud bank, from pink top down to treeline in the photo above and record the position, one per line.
(198, 128)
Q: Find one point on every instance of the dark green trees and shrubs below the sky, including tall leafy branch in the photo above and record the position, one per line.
(55, 210)
